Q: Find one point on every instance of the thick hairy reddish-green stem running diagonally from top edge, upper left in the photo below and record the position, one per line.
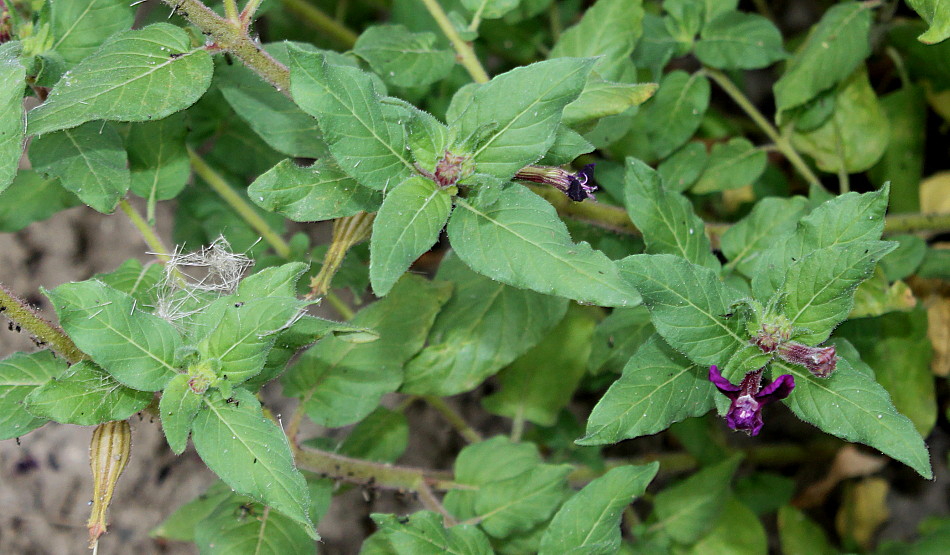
(232, 37)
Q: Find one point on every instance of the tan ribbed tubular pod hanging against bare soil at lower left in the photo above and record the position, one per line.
(108, 455)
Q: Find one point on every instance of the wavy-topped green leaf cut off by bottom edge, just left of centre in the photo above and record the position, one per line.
(424, 532)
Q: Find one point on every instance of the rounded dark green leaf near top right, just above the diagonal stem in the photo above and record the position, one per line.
(737, 40)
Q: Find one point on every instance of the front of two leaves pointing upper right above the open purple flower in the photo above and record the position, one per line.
(818, 292)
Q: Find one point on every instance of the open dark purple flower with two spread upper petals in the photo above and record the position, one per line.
(748, 398)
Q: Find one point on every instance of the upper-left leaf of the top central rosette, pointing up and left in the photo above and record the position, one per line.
(368, 145)
